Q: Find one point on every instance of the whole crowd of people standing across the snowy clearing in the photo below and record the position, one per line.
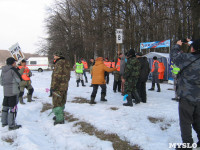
(131, 72)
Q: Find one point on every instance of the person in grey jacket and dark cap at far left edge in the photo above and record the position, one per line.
(10, 79)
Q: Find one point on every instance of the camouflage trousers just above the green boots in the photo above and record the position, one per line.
(59, 98)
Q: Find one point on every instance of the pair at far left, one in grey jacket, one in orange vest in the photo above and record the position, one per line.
(14, 80)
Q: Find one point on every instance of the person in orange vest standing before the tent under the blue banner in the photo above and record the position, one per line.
(155, 73)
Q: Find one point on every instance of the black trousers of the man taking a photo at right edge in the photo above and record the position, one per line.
(189, 116)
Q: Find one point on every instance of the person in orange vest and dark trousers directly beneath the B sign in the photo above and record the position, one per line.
(117, 76)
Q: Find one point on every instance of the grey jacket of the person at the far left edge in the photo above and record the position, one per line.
(10, 81)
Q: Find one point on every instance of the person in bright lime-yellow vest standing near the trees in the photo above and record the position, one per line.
(79, 72)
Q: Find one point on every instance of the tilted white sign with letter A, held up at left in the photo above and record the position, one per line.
(16, 52)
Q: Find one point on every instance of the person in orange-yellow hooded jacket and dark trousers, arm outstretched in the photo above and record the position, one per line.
(98, 79)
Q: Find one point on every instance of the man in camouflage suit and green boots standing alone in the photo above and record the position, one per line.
(59, 86)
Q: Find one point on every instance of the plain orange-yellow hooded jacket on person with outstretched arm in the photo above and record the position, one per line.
(98, 71)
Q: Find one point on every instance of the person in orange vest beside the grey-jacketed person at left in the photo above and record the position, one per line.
(26, 82)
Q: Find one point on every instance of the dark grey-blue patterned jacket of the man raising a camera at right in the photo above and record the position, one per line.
(189, 79)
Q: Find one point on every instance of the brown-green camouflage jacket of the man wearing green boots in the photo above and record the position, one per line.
(60, 75)
